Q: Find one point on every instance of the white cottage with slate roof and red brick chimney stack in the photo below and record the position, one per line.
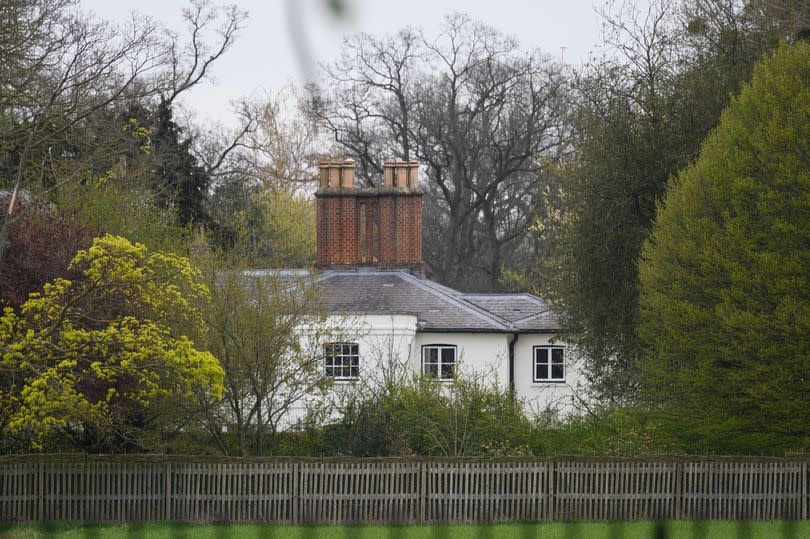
(370, 257)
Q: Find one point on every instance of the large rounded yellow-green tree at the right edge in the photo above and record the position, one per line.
(725, 275)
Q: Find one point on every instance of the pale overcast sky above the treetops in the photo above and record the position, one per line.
(265, 59)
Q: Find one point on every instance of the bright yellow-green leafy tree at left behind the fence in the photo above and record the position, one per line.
(90, 353)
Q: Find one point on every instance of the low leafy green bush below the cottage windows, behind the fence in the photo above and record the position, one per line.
(419, 416)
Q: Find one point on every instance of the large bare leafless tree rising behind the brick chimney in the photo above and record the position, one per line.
(484, 118)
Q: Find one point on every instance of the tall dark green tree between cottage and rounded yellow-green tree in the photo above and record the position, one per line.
(641, 115)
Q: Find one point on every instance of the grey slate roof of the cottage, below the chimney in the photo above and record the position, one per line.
(437, 307)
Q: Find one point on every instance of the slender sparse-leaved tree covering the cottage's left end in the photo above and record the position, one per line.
(269, 336)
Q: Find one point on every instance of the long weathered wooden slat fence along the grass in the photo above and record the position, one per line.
(152, 488)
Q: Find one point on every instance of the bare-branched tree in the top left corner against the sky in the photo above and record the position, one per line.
(62, 68)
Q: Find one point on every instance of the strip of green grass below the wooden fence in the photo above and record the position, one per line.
(562, 530)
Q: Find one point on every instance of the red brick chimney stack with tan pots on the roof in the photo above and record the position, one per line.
(379, 227)
